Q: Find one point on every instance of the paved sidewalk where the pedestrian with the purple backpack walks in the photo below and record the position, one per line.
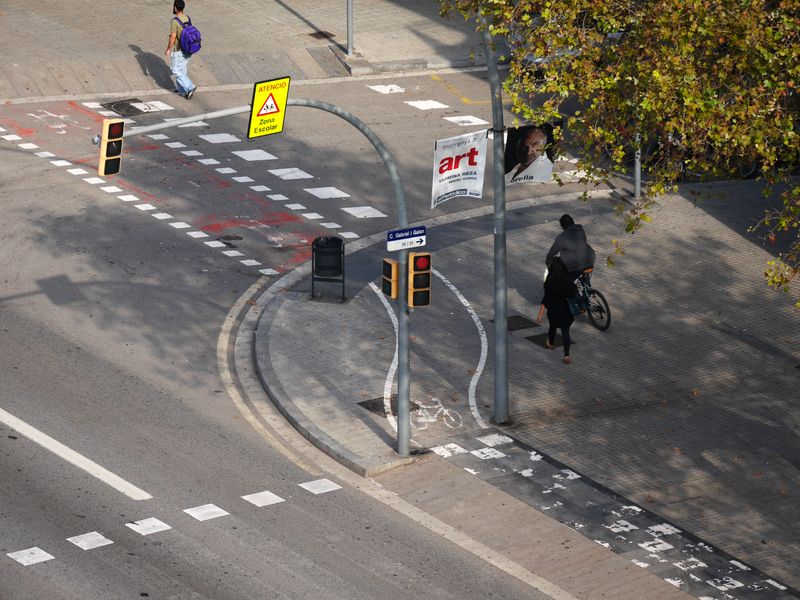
(119, 46)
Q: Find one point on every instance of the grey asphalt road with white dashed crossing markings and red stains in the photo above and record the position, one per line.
(109, 320)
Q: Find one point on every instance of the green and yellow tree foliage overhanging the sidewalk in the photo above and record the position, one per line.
(708, 86)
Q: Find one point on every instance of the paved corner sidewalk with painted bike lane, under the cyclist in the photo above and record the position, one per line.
(670, 441)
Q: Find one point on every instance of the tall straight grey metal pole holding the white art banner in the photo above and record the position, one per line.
(500, 410)
